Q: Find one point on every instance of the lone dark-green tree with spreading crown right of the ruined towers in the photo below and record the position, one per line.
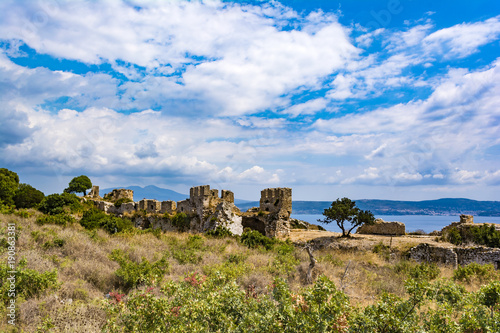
(343, 211)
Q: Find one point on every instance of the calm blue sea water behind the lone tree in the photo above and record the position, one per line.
(426, 223)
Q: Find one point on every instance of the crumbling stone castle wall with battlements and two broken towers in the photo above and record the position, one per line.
(205, 210)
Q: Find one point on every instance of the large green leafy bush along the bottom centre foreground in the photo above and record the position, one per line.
(209, 304)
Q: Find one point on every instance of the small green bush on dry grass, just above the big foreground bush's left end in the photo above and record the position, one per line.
(133, 274)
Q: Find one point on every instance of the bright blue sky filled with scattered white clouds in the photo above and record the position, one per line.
(366, 99)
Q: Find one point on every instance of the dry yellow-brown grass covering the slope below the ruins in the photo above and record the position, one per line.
(364, 267)
